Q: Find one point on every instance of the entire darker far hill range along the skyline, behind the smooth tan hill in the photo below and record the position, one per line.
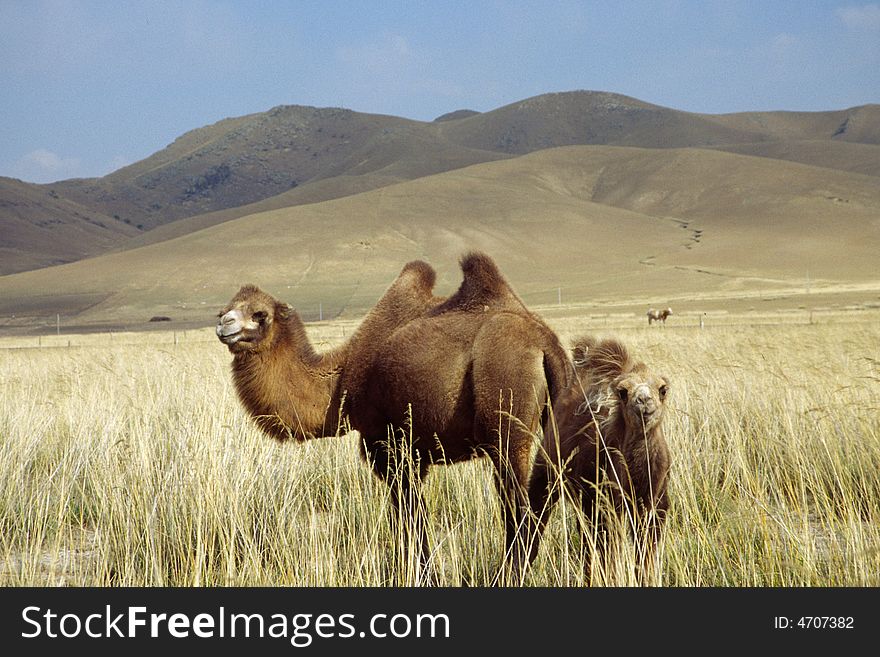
(293, 155)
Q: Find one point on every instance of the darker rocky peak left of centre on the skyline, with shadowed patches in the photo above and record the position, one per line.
(240, 161)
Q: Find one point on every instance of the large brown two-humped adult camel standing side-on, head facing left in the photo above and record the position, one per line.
(424, 380)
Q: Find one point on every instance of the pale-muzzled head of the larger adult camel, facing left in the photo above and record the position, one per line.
(248, 323)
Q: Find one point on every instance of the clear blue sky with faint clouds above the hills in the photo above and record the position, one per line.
(87, 87)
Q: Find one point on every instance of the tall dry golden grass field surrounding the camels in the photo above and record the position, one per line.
(126, 460)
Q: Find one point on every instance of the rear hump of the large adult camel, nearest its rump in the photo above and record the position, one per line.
(483, 287)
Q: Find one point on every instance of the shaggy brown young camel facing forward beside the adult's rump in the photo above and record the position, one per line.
(610, 451)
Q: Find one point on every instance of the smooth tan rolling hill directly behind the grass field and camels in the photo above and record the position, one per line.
(595, 224)
